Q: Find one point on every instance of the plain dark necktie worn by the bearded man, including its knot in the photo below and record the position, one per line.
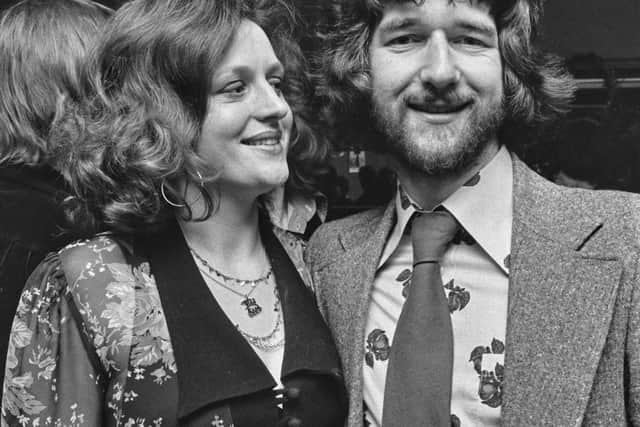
(418, 384)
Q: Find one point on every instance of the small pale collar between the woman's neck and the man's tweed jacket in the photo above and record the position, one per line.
(291, 211)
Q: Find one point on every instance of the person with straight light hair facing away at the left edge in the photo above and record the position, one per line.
(42, 44)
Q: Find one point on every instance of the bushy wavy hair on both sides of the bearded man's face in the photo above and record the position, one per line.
(538, 89)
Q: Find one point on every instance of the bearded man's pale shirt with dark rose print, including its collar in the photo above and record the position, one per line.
(475, 280)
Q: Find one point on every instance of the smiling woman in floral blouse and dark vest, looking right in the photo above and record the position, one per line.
(194, 308)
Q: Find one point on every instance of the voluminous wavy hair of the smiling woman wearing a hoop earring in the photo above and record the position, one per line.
(134, 135)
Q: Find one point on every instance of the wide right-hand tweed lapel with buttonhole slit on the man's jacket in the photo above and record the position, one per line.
(563, 280)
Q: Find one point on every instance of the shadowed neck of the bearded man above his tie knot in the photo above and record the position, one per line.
(429, 191)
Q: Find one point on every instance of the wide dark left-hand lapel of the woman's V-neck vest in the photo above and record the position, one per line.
(214, 362)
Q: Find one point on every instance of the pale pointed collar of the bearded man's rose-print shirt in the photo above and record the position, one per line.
(483, 206)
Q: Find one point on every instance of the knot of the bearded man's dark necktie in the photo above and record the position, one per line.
(431, 232)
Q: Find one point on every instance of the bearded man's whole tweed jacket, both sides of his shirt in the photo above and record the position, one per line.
(573, 329)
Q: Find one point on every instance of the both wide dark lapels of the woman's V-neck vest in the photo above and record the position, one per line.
(199, 329)
